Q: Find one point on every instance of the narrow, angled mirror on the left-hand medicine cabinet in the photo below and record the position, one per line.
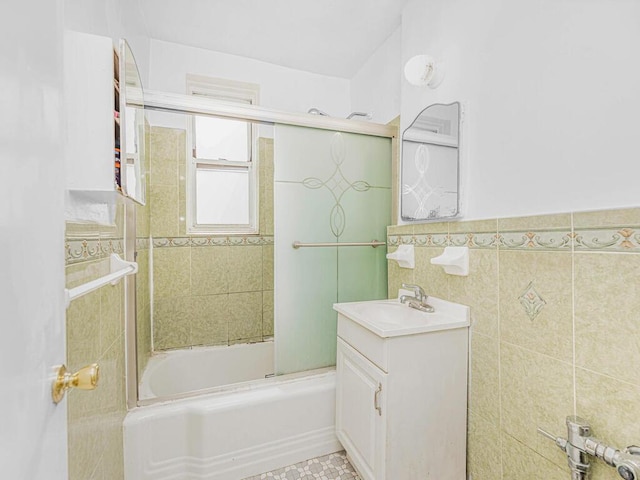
(132, 127)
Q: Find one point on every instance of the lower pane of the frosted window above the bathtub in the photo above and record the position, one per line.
(222, 196)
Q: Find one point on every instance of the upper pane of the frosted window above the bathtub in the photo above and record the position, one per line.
(222, 139)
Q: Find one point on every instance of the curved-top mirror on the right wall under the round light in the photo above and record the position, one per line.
(430, 164)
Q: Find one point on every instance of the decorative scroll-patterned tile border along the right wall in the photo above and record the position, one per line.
(622, 239)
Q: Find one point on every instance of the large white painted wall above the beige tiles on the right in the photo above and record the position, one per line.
(551, 90)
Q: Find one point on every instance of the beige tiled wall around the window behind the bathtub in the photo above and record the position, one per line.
(214, 290)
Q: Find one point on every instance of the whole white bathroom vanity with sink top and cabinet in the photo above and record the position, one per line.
(401, 394)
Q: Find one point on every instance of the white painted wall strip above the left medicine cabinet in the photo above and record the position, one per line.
(113, 18)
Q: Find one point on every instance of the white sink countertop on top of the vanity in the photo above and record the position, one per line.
(390, 318)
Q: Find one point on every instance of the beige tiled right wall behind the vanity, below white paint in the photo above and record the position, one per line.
(579, 355)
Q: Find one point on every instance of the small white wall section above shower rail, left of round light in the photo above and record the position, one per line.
(375, 88)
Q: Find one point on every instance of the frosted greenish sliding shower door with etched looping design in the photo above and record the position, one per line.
(330, 187)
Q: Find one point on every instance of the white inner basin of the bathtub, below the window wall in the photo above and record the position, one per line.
(180, 371)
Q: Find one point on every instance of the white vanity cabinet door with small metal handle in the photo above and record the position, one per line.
(361, 411)
